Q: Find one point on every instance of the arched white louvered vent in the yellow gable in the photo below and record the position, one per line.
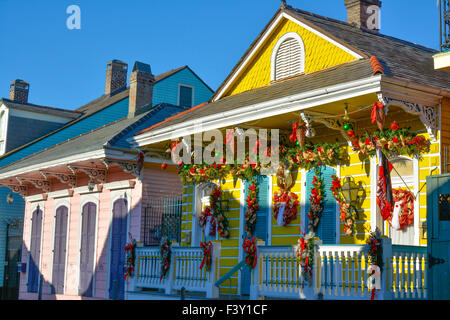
(288, 57)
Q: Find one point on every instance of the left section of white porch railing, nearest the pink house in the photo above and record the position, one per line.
(184, 270)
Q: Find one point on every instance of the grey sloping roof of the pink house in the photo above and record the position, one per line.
(114, 134)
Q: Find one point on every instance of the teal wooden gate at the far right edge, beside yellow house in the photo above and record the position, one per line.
(438, 233)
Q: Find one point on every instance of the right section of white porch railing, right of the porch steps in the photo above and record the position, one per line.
(340, 272)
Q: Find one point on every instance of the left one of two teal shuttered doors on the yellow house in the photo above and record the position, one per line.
(261, 227)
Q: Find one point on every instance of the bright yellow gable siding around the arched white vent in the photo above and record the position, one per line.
(319, 54)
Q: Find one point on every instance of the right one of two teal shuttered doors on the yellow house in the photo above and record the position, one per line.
(327, 225)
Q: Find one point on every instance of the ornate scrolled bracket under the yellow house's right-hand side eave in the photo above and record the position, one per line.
(427, 114)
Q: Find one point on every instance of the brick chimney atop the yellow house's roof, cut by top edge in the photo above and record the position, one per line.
(364, 13)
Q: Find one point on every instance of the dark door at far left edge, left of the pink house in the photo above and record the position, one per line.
(13, 256)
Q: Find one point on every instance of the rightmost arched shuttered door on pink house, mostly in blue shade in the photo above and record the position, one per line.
(118, 243)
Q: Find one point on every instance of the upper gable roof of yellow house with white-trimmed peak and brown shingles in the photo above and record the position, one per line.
(400, 59)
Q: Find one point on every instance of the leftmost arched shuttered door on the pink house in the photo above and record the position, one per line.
(35, 252)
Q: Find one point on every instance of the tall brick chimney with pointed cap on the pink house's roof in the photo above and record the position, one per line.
(141, 88)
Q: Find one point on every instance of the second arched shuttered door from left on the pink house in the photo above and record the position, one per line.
(59, 251)
